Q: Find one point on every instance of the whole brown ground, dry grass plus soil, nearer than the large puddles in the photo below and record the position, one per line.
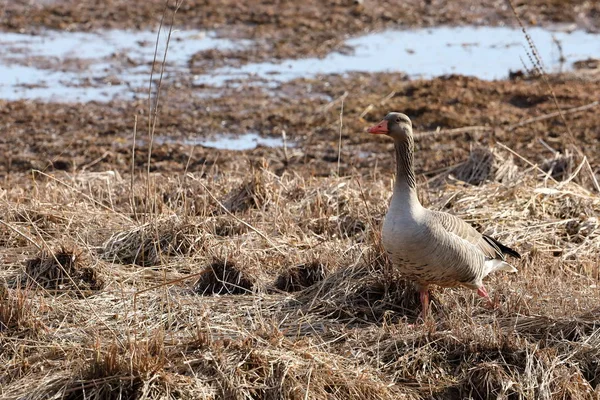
(177, 272)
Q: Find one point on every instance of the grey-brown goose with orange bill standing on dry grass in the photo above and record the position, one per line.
(432, 247)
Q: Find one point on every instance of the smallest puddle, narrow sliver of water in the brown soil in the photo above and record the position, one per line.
(245, 141)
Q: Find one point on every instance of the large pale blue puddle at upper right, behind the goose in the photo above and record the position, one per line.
(483, 52)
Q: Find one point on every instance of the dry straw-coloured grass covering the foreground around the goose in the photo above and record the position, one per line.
(276, 287)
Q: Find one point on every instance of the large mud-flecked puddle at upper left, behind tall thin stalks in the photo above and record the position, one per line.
(82, 66)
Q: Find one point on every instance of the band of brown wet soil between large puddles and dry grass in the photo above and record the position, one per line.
(99, 136)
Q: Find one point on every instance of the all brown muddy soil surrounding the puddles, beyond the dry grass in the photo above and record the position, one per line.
(99, 136)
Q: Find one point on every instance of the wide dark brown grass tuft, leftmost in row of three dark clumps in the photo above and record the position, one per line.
(64, 269)
